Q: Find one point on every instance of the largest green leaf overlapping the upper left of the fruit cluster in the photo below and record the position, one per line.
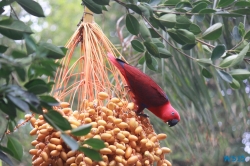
(56, 120)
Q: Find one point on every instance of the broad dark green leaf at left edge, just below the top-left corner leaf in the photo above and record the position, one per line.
(14, 29)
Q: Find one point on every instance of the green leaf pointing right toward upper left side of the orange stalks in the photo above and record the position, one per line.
(53, 51)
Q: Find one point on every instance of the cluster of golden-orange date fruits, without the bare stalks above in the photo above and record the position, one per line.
(129, 139)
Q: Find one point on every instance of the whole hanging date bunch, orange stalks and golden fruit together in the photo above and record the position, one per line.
(101, 101)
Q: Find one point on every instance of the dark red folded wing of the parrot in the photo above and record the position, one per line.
(145, 90)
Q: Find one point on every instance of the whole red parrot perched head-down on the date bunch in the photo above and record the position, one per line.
(147, 93)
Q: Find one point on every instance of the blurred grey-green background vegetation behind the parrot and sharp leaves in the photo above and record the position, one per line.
(215, 119)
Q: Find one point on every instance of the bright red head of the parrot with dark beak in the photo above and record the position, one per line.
(170, 115)
